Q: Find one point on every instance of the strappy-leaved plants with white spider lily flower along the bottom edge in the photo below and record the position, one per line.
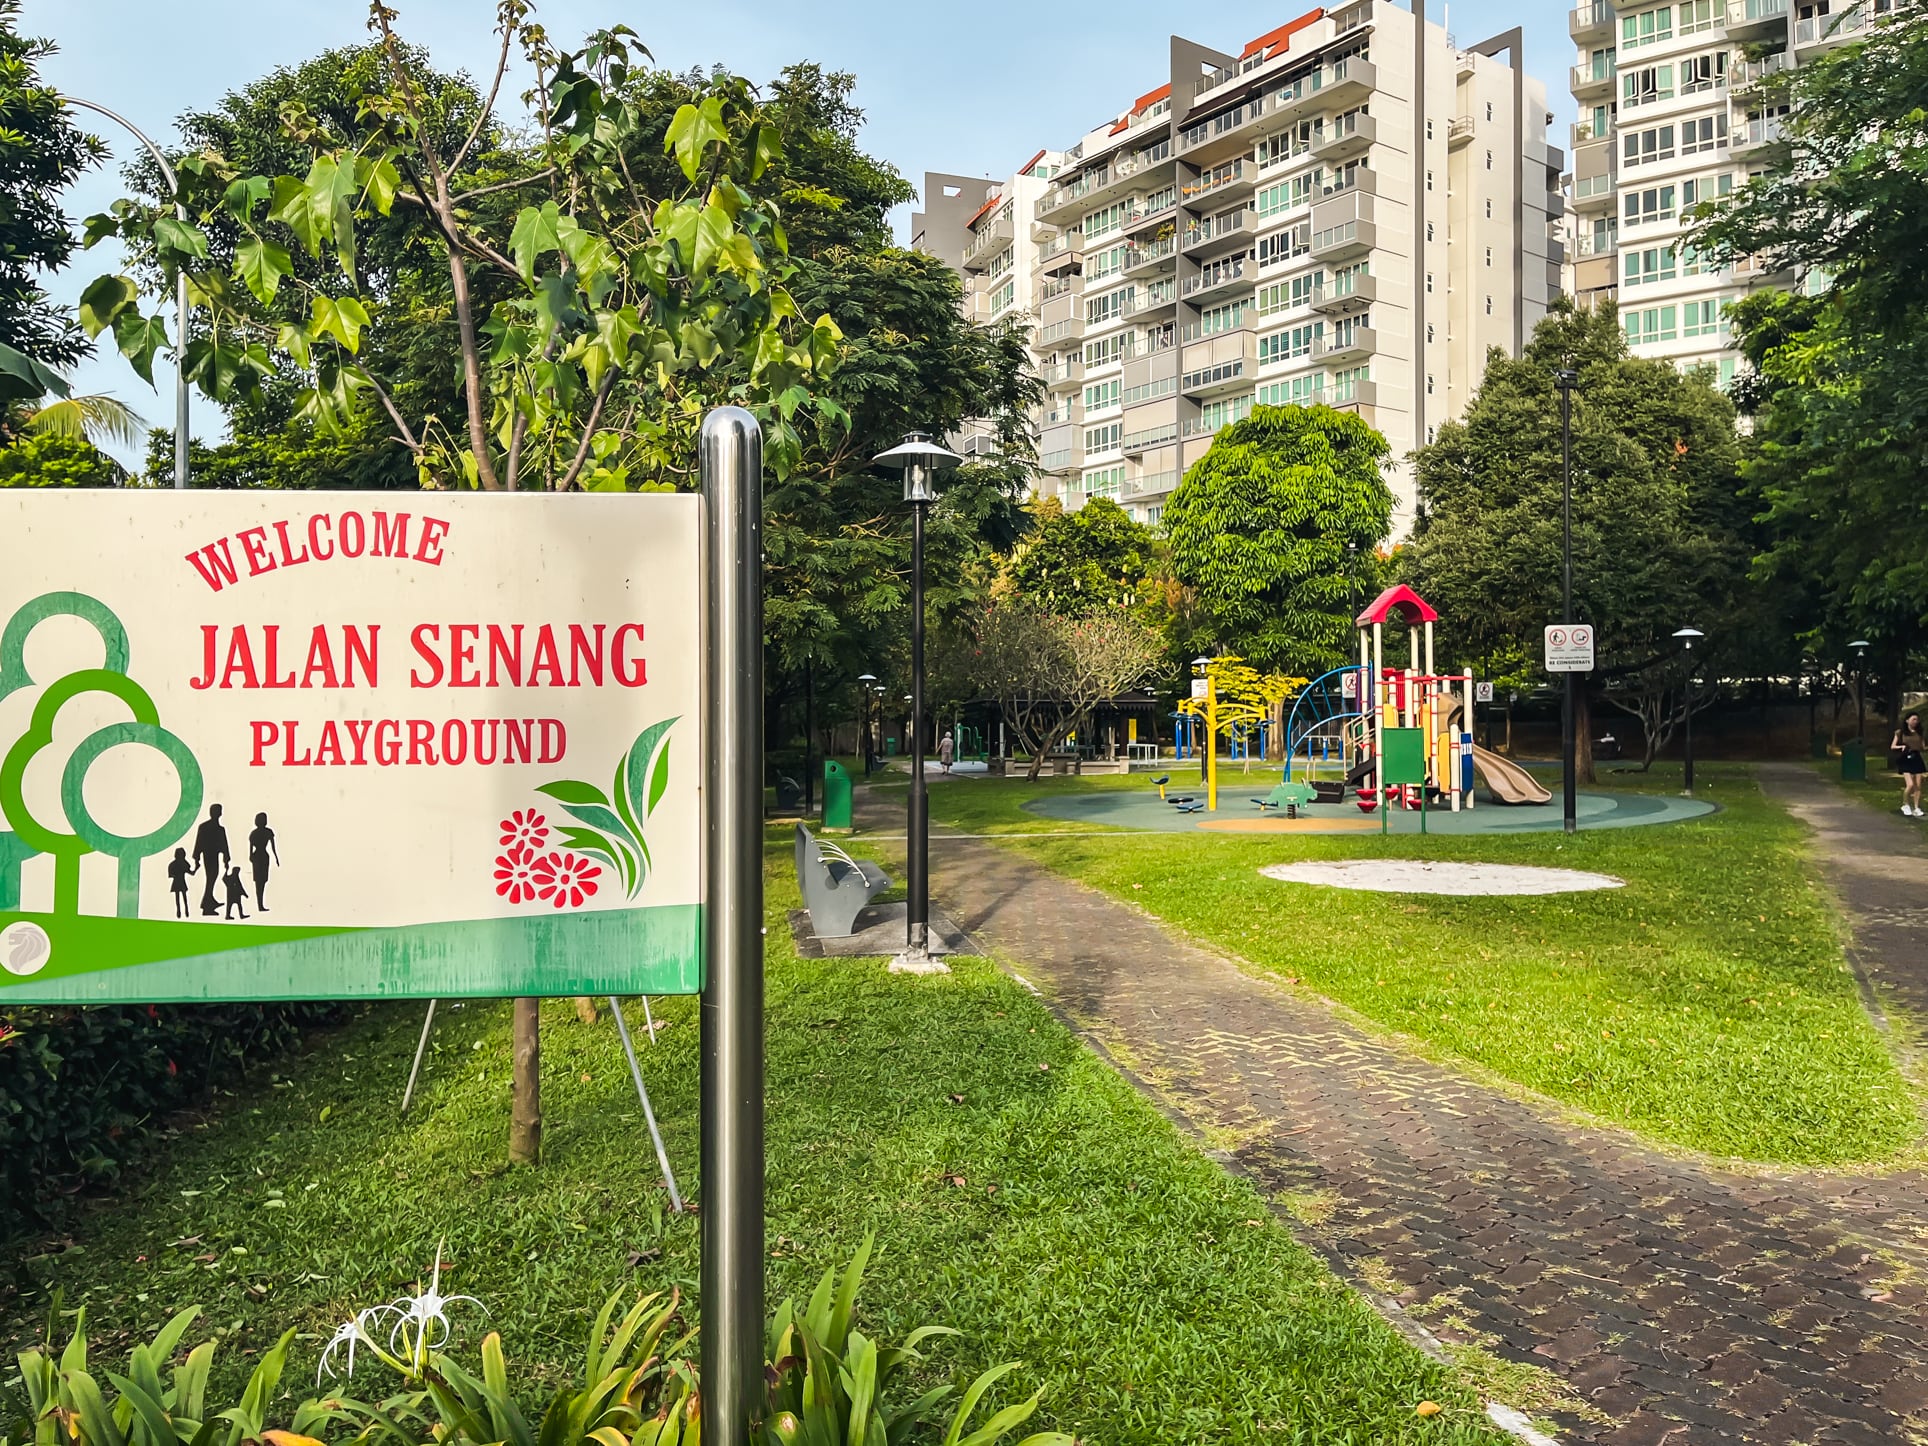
(830, 1387)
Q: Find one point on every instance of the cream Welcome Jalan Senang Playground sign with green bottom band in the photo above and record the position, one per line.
(281, 745)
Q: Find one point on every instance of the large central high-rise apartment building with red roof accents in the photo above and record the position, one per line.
(1352, 209)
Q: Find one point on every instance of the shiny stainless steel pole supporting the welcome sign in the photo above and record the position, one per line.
(732, 458)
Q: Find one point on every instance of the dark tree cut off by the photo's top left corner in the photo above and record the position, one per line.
(41, 155)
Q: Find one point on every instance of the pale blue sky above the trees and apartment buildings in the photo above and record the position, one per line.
(971, 88)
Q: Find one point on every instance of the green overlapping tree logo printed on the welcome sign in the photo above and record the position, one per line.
(30, 836)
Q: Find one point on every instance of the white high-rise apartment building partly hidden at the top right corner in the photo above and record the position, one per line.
(1676, 109)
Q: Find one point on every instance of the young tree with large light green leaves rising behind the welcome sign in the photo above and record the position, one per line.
(622, 319)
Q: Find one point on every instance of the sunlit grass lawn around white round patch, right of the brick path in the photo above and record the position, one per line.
(1705, 1005)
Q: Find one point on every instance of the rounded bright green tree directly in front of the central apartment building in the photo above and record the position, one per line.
(1275, 527)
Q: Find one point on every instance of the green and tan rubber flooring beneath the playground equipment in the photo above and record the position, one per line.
(1237, 813)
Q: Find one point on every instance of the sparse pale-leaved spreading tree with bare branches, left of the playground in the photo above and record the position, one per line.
(1048, 672)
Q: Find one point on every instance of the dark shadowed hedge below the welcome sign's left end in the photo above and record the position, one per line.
(82, 1090)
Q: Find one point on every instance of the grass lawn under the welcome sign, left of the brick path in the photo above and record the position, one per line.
(1017, 1187)
